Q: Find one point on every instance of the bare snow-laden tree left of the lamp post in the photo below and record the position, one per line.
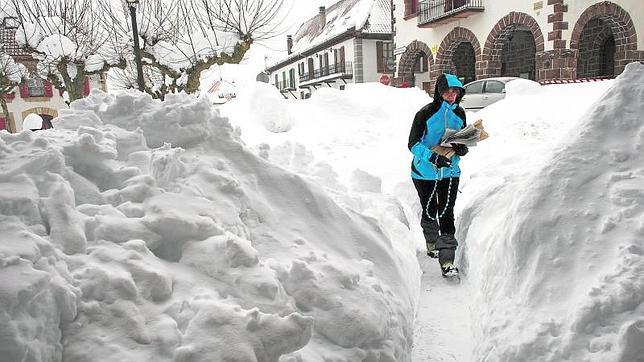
(69, 39)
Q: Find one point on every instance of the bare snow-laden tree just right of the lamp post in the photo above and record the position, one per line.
(175, 52)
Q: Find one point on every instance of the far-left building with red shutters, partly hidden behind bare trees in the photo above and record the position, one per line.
(34, 95)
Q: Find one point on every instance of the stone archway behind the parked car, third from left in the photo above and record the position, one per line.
(518, 33)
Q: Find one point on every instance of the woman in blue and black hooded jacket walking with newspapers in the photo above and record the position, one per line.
(435, 176)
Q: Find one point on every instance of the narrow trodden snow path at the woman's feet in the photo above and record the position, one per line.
(442, 330)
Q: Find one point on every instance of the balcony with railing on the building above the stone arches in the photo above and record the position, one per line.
(437, 12)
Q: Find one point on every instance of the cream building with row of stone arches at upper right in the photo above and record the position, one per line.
(544, 40)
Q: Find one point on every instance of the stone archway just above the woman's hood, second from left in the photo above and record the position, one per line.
(458, 53)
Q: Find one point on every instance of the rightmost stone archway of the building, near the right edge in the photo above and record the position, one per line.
(599, 26)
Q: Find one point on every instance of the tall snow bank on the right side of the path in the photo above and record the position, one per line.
(556, 250)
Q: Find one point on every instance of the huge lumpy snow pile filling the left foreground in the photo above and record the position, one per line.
(138, 230)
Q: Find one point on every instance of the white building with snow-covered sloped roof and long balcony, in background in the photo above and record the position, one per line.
(348, 42)
